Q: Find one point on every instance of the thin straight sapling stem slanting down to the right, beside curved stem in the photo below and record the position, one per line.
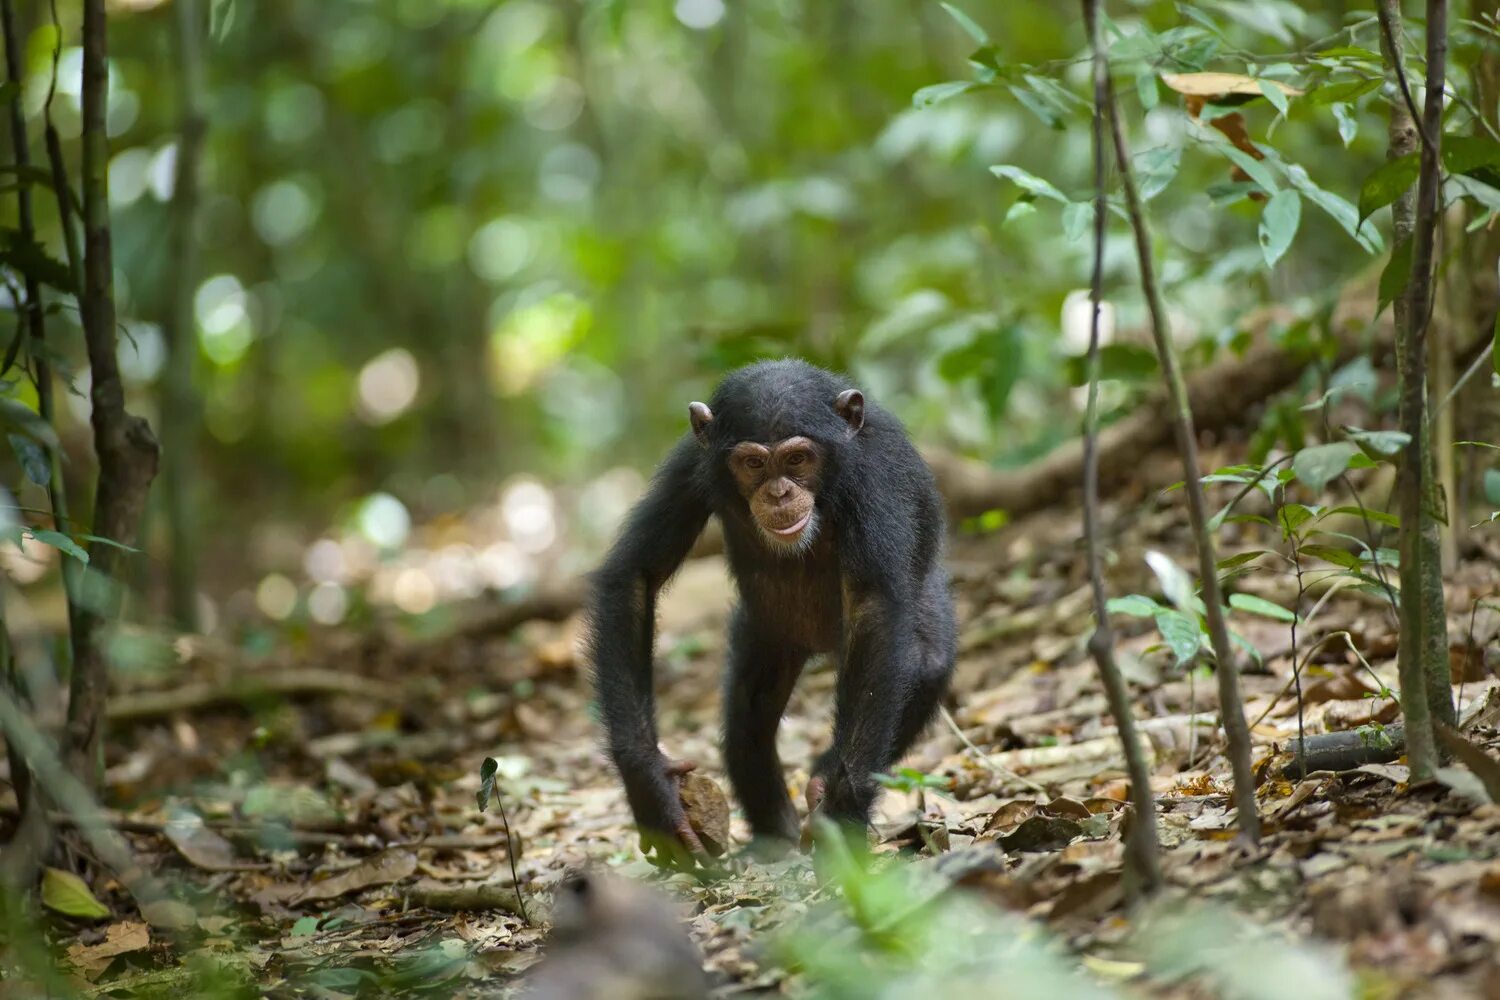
(1232, 708)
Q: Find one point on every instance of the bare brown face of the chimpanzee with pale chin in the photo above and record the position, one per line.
(781, 485)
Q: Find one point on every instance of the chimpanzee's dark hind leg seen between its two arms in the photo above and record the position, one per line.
(763, 672)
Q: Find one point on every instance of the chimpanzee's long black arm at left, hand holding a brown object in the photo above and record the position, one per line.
(653, 545)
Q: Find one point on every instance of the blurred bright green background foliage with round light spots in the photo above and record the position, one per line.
(449, 244)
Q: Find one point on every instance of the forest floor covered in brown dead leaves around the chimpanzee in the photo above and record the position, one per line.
(329, 845)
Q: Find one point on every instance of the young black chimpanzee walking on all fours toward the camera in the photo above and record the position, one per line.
(835, 533)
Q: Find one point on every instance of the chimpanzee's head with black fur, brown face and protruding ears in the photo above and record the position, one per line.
(775, 436)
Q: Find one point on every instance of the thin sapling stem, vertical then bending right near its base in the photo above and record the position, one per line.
(1142, 846)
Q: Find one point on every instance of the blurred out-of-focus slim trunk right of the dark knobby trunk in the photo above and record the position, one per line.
(179, 400)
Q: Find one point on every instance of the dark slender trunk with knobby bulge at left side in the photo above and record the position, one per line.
(124, 443)
